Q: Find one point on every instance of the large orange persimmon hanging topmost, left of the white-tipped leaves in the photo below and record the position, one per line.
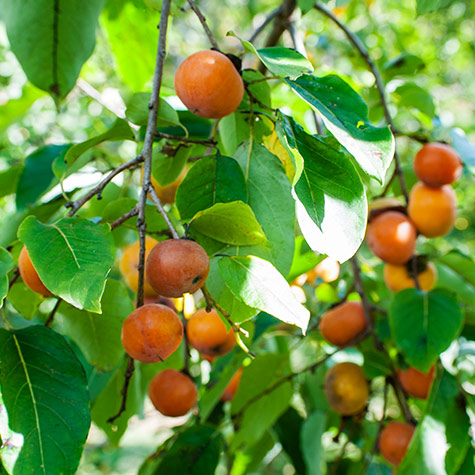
(209, 85)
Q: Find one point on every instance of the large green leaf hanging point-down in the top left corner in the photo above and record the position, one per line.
(52, 42)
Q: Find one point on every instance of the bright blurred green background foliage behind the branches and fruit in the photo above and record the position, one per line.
(427, 62)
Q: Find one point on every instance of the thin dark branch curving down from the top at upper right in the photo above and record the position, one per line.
(358, 44)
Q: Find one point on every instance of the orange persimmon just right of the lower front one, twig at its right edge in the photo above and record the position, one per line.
(207, 333)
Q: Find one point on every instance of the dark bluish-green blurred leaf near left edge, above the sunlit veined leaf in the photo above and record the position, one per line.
(37, 176)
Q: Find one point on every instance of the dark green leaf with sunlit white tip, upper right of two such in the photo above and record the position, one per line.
(345, 114)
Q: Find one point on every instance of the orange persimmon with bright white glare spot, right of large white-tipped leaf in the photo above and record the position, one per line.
(392, 237)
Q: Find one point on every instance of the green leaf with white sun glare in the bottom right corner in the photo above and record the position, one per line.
(445, 425)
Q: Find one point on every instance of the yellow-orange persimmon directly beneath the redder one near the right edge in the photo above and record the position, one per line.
(432, 210)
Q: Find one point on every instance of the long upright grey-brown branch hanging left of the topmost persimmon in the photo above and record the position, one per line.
(146, 185)
